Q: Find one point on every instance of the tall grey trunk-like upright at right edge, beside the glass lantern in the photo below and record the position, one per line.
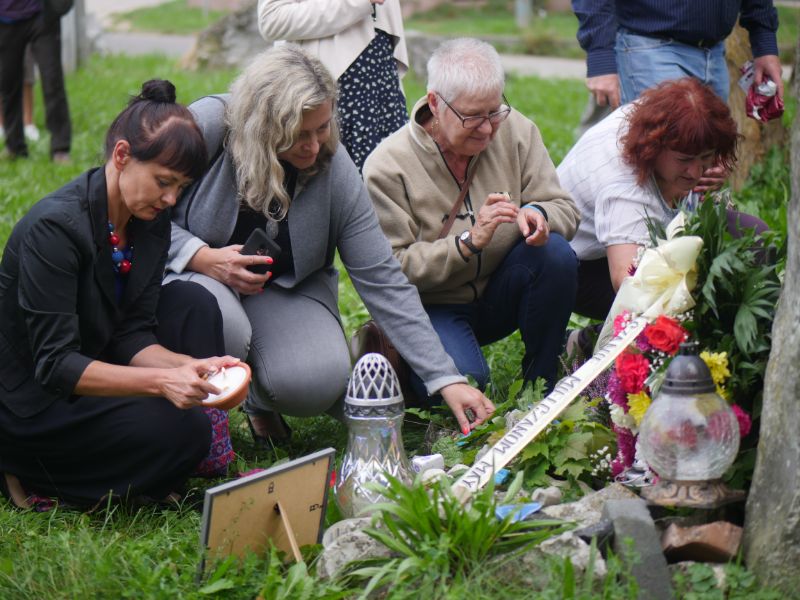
(772, 520)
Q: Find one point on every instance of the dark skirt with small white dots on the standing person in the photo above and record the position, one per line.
(371, 104)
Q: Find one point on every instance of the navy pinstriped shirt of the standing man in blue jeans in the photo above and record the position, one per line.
(691, 22)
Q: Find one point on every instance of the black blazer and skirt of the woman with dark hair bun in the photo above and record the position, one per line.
(58, 312)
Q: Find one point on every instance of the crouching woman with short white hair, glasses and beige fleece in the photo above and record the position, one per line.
(501, 262)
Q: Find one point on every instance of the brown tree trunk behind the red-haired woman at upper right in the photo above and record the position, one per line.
(758, 138)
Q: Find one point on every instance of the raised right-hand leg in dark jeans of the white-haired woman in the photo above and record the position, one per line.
(532, 290)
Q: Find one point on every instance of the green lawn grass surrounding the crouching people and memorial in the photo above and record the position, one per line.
(153, 553)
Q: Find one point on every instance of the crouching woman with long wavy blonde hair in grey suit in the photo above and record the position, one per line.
(279, 167)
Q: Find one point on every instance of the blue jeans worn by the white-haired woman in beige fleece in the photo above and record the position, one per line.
(532, 290)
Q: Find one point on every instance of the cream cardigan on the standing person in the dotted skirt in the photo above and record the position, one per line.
(335, 31)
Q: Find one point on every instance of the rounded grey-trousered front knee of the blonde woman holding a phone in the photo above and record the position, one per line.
(299, 355)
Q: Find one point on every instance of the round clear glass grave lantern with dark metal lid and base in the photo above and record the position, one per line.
(689, 436)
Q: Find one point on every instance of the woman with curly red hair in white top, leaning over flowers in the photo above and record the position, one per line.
(645, 161)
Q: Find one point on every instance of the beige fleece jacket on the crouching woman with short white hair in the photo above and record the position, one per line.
(413, 191)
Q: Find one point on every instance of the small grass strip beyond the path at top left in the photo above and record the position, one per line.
(175, 17)
